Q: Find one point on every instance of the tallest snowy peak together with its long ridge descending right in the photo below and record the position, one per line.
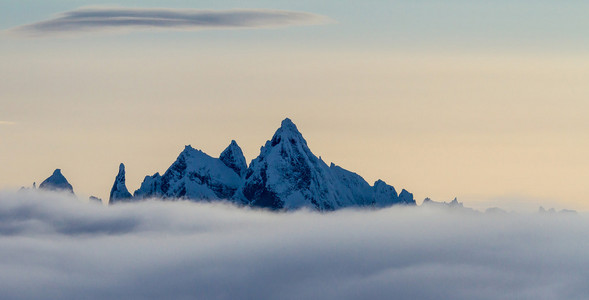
(287, 175)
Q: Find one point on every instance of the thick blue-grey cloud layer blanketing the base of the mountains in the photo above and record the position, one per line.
(55, 247)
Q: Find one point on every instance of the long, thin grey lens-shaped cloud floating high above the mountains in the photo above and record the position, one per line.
(100, 19)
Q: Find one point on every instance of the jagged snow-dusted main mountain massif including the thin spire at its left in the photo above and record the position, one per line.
(286, 175)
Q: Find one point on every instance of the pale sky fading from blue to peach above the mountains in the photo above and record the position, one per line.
(482, 101)
